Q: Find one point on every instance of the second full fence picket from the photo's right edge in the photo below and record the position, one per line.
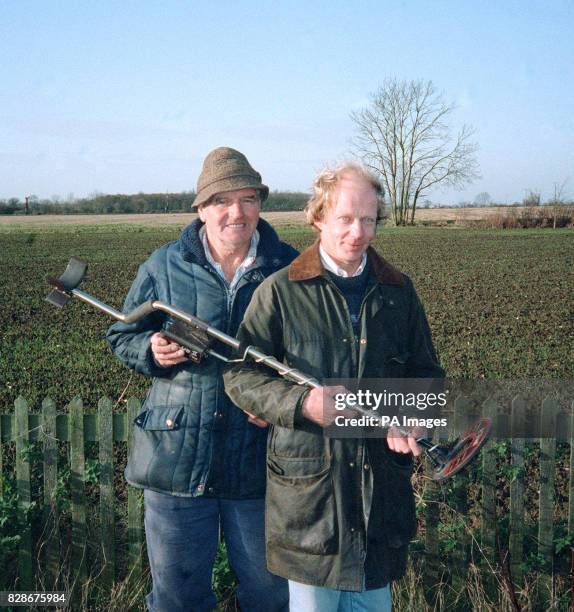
(516, 535)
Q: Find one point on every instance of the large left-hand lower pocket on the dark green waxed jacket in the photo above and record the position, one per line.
(300, 512)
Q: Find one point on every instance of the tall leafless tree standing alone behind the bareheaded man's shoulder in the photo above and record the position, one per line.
(403, 135)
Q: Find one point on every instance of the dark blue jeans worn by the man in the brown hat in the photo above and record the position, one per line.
(182, 534)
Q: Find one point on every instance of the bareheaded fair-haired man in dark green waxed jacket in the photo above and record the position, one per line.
(339, 512)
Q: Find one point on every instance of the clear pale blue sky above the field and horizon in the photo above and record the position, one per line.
(121, 97)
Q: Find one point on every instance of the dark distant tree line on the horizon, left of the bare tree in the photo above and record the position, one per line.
(134, 203)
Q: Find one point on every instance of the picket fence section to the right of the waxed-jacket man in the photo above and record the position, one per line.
(554, 425)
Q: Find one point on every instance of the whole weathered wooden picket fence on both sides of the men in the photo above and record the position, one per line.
(77, 427)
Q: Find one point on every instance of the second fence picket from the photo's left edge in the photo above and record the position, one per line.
(51, 519)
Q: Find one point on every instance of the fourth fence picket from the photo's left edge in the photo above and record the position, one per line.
(107, 517)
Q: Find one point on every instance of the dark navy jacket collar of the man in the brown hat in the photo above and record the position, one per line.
(268, 249)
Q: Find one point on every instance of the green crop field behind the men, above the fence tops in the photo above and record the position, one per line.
(499, 303)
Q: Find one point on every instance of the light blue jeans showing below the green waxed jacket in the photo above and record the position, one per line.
(306, 598)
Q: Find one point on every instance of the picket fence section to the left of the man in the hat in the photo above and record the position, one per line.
(76, 427)
